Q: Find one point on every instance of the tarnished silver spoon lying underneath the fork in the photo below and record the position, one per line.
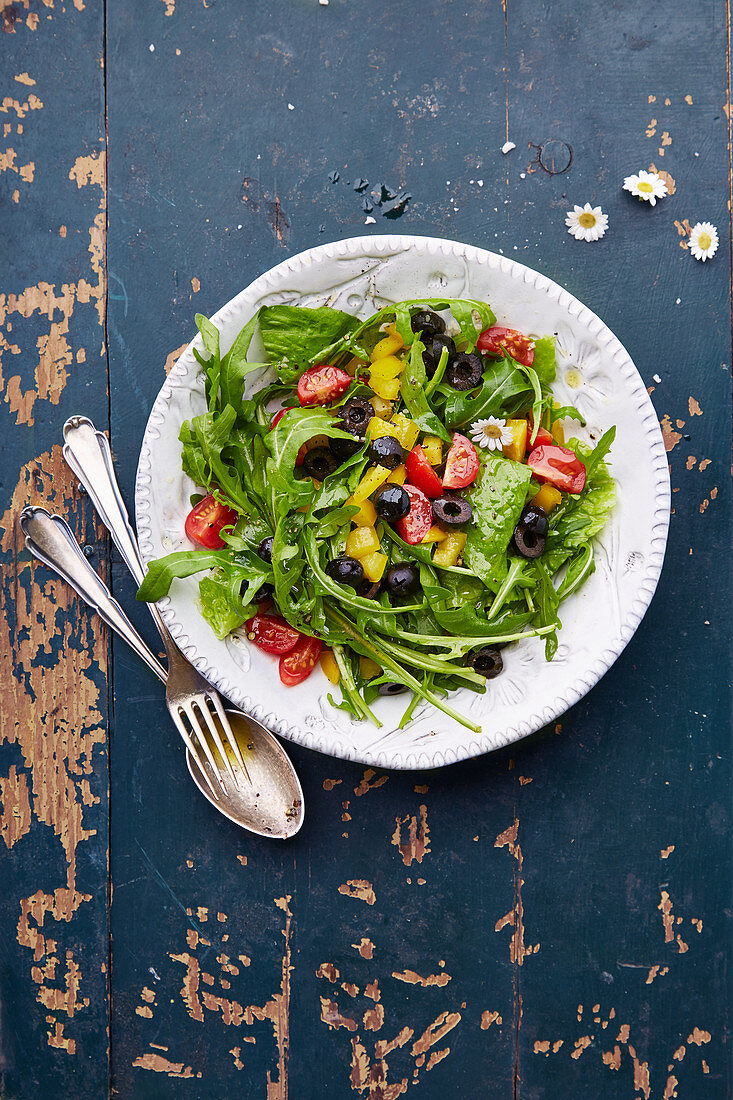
(272, 806)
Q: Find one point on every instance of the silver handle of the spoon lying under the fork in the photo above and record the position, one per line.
(52, 542)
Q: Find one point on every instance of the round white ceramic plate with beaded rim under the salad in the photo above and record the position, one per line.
(595, 375)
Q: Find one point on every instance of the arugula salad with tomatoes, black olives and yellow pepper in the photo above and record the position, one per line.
(398, 502)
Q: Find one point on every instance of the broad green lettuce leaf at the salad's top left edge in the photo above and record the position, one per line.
(294, 336)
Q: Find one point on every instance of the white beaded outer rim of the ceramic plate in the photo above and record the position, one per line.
(382, 246)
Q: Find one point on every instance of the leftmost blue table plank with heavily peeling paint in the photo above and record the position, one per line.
(53, 716)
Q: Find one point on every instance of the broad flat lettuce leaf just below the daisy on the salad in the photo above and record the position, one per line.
(498, 501)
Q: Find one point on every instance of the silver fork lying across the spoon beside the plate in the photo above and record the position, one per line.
(189, 696)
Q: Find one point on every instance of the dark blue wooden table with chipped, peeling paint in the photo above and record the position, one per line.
(546, 922)
